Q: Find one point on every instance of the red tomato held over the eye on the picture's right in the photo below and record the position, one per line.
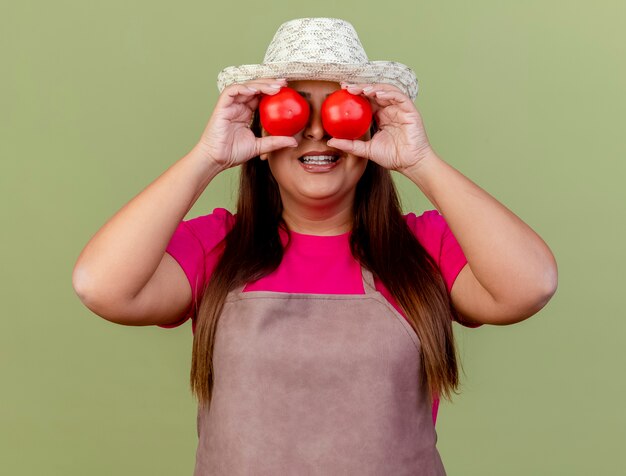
(346, 115)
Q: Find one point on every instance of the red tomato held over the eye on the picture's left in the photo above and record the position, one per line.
(284, 113)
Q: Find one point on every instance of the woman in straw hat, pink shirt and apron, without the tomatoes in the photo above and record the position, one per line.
(321, 315)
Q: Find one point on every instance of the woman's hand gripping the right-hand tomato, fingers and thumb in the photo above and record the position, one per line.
(401, 141)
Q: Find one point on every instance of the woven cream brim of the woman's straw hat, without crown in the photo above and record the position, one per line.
(390, 72)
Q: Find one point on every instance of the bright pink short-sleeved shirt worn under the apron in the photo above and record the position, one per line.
(311, 264)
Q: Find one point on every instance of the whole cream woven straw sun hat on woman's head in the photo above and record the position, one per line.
(325, 49)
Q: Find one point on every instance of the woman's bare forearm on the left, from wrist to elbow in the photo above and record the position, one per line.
(121, 257)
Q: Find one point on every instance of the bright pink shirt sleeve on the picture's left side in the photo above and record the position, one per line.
(194, 245)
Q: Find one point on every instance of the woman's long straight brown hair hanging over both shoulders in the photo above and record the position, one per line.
(380, 240)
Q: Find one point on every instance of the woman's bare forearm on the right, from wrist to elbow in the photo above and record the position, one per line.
(504, 253)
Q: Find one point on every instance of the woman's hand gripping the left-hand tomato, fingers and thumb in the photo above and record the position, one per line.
(227, 138)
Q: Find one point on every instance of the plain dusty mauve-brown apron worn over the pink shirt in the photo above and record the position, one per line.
(316, 384)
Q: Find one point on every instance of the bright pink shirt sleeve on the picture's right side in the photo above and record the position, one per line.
(435, 235)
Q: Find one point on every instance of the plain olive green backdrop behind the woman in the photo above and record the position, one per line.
(97, 99)
